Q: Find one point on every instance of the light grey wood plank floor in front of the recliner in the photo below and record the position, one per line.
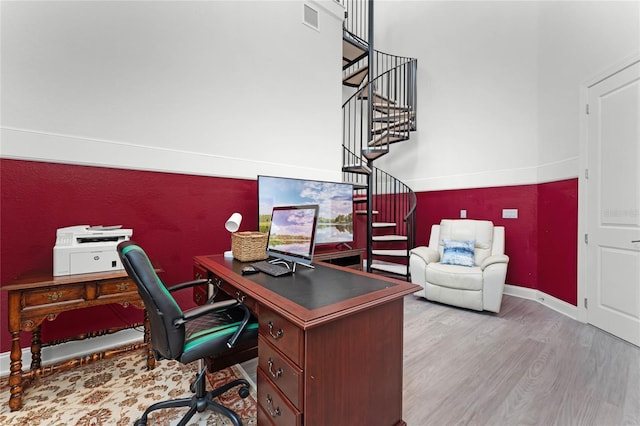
(528, 365)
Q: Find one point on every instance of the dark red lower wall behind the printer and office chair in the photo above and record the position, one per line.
(174, 217)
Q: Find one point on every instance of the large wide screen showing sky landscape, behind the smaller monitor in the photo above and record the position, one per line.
(335, 201)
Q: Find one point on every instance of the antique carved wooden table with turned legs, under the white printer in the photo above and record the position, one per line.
(37, 296)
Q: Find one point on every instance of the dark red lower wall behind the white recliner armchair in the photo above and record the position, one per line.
(541, 244)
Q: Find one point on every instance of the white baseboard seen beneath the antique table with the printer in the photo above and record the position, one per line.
(58, 353)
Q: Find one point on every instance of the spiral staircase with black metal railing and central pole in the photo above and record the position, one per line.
(380, 112)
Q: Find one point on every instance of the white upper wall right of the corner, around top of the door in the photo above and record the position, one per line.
(578, 41)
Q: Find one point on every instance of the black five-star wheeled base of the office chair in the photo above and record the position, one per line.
(201, 401)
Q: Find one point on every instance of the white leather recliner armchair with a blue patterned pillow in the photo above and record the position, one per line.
(464, 264)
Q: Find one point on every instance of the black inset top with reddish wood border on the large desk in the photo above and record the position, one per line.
(310, 294)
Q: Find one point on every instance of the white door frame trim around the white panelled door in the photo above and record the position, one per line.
(582, 181)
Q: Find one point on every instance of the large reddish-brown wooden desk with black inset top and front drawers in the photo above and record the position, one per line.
(330, 342)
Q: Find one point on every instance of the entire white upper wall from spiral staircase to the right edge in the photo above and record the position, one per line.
(499, 85)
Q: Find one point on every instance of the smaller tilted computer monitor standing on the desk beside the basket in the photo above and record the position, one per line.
(292, 233)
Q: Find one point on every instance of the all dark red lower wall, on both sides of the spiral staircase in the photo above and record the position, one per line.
(175, 217)
